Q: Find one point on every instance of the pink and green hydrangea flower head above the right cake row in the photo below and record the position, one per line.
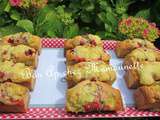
(138, 28)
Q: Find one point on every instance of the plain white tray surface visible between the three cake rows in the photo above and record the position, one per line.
(50, 85)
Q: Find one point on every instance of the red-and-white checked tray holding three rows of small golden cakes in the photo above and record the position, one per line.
(82, 77)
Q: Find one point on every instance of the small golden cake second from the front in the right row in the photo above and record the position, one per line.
(146, 74)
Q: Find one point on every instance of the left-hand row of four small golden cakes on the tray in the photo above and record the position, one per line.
(18, 60)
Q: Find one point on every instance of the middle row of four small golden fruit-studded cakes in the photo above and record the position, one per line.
(90, 77)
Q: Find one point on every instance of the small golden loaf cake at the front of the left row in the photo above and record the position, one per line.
(13, 98)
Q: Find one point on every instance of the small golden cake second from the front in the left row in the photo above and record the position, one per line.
(17, 73)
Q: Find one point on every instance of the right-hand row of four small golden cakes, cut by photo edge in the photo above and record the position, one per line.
(142, 63)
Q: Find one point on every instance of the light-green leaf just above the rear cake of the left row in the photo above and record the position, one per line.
(27, 25)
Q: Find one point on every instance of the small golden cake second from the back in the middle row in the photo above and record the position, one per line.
(86, 54)
